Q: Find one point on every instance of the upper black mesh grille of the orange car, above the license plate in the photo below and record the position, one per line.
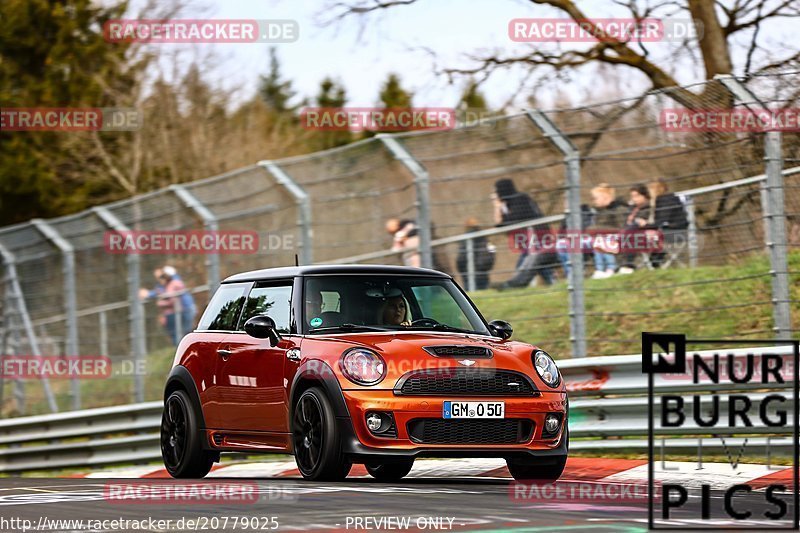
(465, 382)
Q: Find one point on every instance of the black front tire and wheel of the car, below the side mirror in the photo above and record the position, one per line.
(316, 438)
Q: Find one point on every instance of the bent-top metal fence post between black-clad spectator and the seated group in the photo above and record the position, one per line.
(572, 162)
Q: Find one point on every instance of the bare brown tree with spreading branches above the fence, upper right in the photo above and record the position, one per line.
(722, 27)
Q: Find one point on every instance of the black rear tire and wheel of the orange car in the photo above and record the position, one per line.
(181, 446)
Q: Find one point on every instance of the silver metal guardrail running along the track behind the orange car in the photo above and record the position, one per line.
(608, 410)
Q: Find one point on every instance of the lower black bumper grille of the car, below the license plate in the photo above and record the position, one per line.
(465, 431)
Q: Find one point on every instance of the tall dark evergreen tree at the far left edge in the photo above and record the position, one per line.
(53, 54)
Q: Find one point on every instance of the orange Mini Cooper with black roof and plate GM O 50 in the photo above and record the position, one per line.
(359, 364)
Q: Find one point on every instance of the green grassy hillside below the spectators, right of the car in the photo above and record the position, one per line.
(704, 302)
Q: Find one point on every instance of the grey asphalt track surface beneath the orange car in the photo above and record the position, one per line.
(358, 504)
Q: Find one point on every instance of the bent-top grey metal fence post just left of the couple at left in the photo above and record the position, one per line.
(135, 308)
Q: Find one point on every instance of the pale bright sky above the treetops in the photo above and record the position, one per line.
(361, 52)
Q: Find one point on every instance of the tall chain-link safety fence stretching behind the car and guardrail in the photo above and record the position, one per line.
(732, 271)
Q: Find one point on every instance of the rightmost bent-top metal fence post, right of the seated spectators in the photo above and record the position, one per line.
(775, 216)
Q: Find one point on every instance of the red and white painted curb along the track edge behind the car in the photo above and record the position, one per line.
(578, 469)
